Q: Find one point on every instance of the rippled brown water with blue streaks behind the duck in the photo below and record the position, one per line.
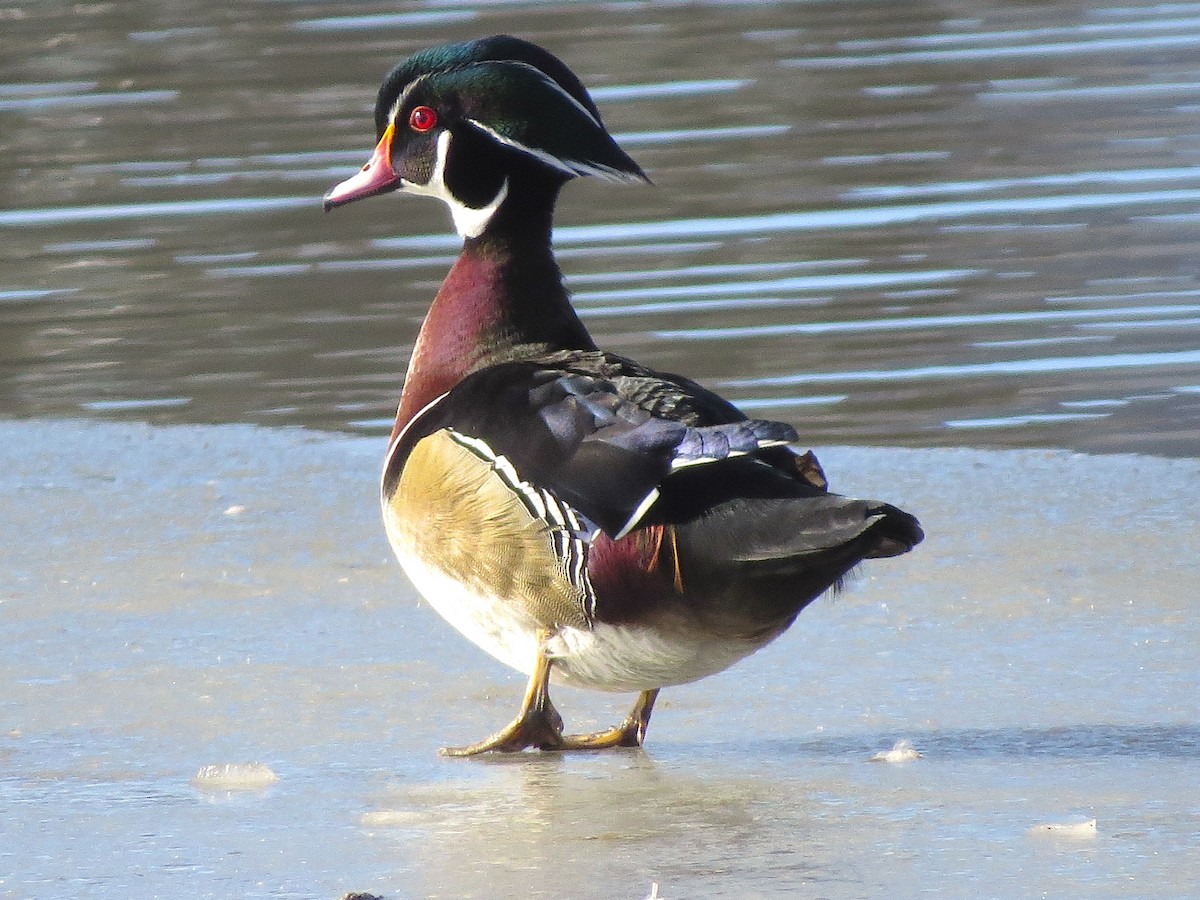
(887, 223)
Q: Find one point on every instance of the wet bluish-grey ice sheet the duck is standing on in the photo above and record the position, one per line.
(1040, 650)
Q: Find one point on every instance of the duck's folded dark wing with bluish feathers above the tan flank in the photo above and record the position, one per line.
(602, 445)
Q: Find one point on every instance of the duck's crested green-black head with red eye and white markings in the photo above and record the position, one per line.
(485, 125)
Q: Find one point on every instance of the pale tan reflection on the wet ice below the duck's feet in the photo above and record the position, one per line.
(653, 825)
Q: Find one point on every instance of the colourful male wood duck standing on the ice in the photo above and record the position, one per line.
(580, 517)
